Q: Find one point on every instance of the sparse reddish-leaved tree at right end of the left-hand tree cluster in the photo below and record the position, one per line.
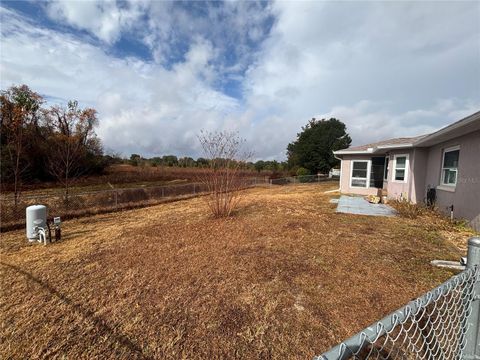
(71, 134)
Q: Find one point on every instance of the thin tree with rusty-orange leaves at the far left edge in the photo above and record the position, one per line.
(19, 108)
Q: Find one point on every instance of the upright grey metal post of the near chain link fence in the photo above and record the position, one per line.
(472, 335)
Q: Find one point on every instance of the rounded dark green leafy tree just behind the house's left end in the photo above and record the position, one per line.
(314, 146)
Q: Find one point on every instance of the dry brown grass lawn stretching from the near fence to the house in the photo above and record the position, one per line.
(286, 277)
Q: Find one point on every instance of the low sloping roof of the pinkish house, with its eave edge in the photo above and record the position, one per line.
(464, 126)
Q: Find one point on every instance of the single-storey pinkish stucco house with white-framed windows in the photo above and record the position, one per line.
(447, 160)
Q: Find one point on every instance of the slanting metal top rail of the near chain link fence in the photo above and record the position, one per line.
(373, 332)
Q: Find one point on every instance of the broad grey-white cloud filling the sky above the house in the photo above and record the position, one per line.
(385, 69)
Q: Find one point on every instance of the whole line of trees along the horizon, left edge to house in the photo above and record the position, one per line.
(41, 142)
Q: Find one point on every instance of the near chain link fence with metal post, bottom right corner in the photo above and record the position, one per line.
(442, 324)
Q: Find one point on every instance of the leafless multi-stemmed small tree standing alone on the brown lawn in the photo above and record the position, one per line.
(224, 178)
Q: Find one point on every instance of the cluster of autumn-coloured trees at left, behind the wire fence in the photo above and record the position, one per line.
(45, 143)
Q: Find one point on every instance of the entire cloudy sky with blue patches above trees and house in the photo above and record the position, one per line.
(159, 72)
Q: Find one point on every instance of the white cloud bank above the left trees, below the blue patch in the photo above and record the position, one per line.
(142, 106)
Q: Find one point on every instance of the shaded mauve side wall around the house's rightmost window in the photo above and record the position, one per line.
(465, 197)
